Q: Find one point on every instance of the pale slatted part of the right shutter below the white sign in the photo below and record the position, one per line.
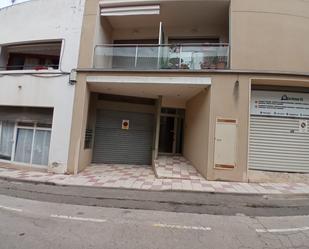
(276, 144)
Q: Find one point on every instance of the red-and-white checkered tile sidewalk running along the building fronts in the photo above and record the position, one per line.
(143, 177)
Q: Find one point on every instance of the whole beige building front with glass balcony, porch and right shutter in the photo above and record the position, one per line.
(222, 83)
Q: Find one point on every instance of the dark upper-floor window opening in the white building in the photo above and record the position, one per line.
(37, 56)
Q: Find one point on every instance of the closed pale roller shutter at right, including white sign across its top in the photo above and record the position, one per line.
(279, 134)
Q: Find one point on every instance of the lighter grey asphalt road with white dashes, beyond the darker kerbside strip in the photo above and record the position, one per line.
(35, 224)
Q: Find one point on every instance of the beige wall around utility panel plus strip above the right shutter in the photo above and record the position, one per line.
(232, 101)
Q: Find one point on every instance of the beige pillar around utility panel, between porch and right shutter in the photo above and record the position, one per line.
(231, 101)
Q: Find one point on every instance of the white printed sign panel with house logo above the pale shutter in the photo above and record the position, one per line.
(280, 104)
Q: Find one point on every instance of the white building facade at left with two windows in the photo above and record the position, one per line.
(39, 46)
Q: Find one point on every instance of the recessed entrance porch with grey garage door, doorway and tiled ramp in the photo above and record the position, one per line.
(139, 120)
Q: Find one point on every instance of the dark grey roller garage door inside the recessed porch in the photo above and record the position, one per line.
(112, 144)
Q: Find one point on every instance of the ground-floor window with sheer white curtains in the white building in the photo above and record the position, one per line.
(25, 134)
